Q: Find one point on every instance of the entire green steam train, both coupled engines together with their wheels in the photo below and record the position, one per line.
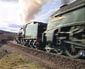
(64, 33)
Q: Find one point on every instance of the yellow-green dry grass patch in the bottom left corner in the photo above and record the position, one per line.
(13, 61)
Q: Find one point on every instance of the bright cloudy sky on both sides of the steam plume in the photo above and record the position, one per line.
(9, 14)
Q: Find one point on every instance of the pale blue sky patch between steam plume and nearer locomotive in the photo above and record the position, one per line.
(48, 10)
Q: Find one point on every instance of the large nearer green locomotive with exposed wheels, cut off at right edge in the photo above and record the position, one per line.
(66, 30)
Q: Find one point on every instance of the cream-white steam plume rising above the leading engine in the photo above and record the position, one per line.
(29, 8)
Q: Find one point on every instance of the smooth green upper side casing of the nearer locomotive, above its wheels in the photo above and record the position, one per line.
(73, 17)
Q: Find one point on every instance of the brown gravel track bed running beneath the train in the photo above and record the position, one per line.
(51, 61)
